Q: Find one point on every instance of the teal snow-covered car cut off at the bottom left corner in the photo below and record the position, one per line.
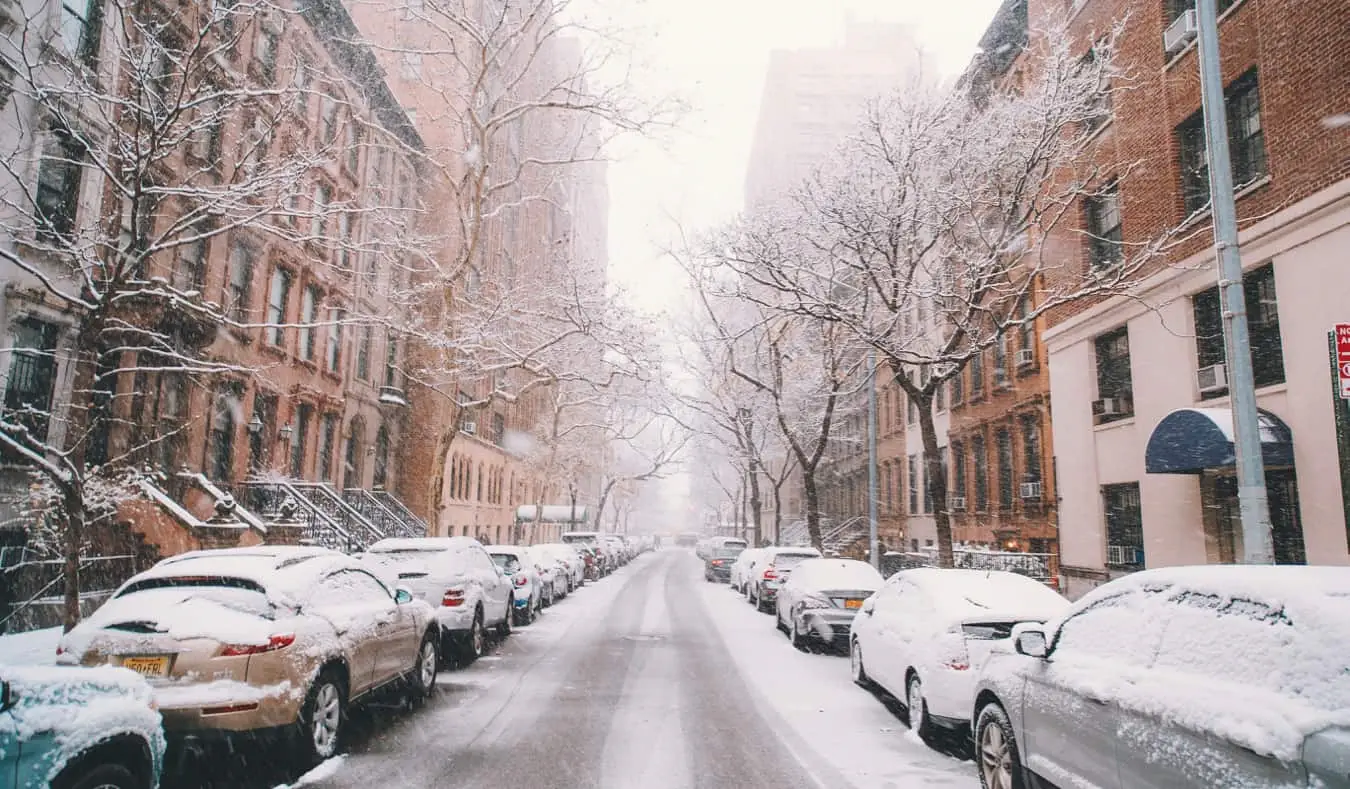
(79, 729)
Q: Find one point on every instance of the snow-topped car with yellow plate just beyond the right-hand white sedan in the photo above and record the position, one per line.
(821, 598)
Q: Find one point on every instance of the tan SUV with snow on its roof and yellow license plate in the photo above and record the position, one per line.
(261, 640)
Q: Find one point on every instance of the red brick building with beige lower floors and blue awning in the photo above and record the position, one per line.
(1139, 384)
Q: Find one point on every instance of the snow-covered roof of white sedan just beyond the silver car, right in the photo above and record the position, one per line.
(961, 595)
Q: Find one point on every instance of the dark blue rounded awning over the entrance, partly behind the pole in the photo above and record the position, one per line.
(1189, 441)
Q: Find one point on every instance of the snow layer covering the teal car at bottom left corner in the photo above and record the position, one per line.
(78, 709)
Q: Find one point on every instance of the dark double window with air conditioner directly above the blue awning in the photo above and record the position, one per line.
(1263, 329)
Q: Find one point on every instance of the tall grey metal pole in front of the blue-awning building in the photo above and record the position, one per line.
(1258, 545)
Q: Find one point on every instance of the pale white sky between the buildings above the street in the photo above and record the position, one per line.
(715, 53)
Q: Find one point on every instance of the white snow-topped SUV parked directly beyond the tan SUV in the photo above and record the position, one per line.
(457, 578)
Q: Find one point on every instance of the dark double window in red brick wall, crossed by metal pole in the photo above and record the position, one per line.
(1247, 144)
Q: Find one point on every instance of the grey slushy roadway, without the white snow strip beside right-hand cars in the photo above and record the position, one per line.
(626, 684)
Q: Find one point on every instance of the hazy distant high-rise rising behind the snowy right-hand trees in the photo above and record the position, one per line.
(815, 98)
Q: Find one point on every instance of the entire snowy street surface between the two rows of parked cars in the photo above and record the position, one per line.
(651, 678)
